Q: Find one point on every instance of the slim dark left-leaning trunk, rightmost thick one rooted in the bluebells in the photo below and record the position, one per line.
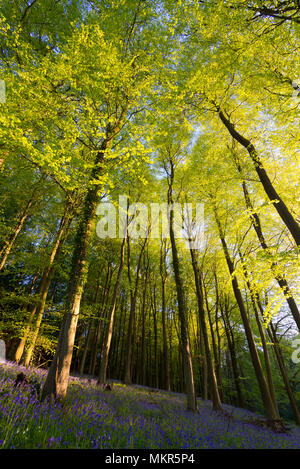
(264, 389)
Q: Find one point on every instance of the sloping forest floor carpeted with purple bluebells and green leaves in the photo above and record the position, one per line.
(131, 417)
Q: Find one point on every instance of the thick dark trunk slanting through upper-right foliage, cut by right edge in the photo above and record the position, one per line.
(270, 190)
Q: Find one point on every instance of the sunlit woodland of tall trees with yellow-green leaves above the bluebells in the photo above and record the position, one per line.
(166, 102)
